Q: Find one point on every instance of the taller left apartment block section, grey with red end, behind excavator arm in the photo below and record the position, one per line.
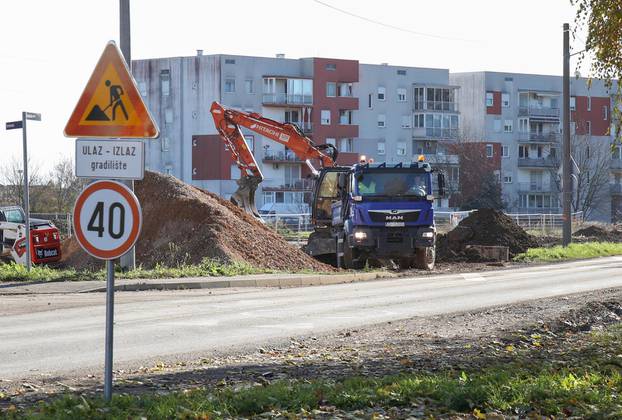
(315, 93)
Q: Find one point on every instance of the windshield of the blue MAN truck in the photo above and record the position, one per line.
(392, 184)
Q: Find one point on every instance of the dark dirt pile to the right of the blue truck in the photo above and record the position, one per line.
(483, 227)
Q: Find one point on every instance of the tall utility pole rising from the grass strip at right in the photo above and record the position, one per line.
(566, 165)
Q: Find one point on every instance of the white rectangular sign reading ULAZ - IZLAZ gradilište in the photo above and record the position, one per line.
(110, 159)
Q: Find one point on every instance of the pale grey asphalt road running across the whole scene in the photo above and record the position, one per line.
(69, 336)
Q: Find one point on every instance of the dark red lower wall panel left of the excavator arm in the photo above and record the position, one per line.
(210, 160)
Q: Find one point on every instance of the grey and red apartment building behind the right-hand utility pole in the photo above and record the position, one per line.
(522, 112)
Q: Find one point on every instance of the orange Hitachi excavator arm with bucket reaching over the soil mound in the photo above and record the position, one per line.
(228, 122)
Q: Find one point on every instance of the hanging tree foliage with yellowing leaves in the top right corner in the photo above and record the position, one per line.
(603, 21)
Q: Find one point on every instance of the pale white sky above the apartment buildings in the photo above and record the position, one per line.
(49, 48)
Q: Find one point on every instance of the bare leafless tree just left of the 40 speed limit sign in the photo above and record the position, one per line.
(65, 185)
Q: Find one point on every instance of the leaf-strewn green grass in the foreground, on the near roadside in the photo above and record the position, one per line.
(586, 385)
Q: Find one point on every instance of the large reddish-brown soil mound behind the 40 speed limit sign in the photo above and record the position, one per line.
(183, 224)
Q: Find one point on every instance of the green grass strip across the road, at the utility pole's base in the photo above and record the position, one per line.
(571, 252)
